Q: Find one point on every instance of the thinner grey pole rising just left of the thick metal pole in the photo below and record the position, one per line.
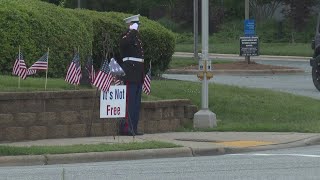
(195, 29)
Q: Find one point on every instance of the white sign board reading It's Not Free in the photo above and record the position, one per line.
(113, 102)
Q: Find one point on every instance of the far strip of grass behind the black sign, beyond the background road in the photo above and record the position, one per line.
(283, 49)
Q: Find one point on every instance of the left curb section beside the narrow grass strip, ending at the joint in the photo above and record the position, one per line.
(29, 160)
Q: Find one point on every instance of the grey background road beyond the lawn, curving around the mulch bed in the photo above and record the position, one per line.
(299, 84)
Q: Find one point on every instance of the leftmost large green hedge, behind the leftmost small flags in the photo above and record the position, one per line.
(35, 26)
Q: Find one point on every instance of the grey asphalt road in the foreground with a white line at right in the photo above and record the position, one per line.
(295, 163)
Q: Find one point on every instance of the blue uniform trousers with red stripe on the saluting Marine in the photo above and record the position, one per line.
(133, 106)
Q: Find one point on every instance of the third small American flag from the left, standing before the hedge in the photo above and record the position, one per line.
(74, 71)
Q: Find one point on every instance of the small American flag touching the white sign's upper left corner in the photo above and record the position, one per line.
(104, 77)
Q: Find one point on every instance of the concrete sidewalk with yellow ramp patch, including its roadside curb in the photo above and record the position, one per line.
(194, 144)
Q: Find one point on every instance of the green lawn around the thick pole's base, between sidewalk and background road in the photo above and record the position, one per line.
(247, 109)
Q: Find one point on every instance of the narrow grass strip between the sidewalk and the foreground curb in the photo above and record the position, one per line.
(40, 150)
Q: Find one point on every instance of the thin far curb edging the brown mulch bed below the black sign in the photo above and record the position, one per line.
(237, 72)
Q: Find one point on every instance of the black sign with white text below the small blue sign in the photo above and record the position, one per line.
(249, 46)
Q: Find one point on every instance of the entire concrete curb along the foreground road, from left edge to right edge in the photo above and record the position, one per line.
(144, 154)
